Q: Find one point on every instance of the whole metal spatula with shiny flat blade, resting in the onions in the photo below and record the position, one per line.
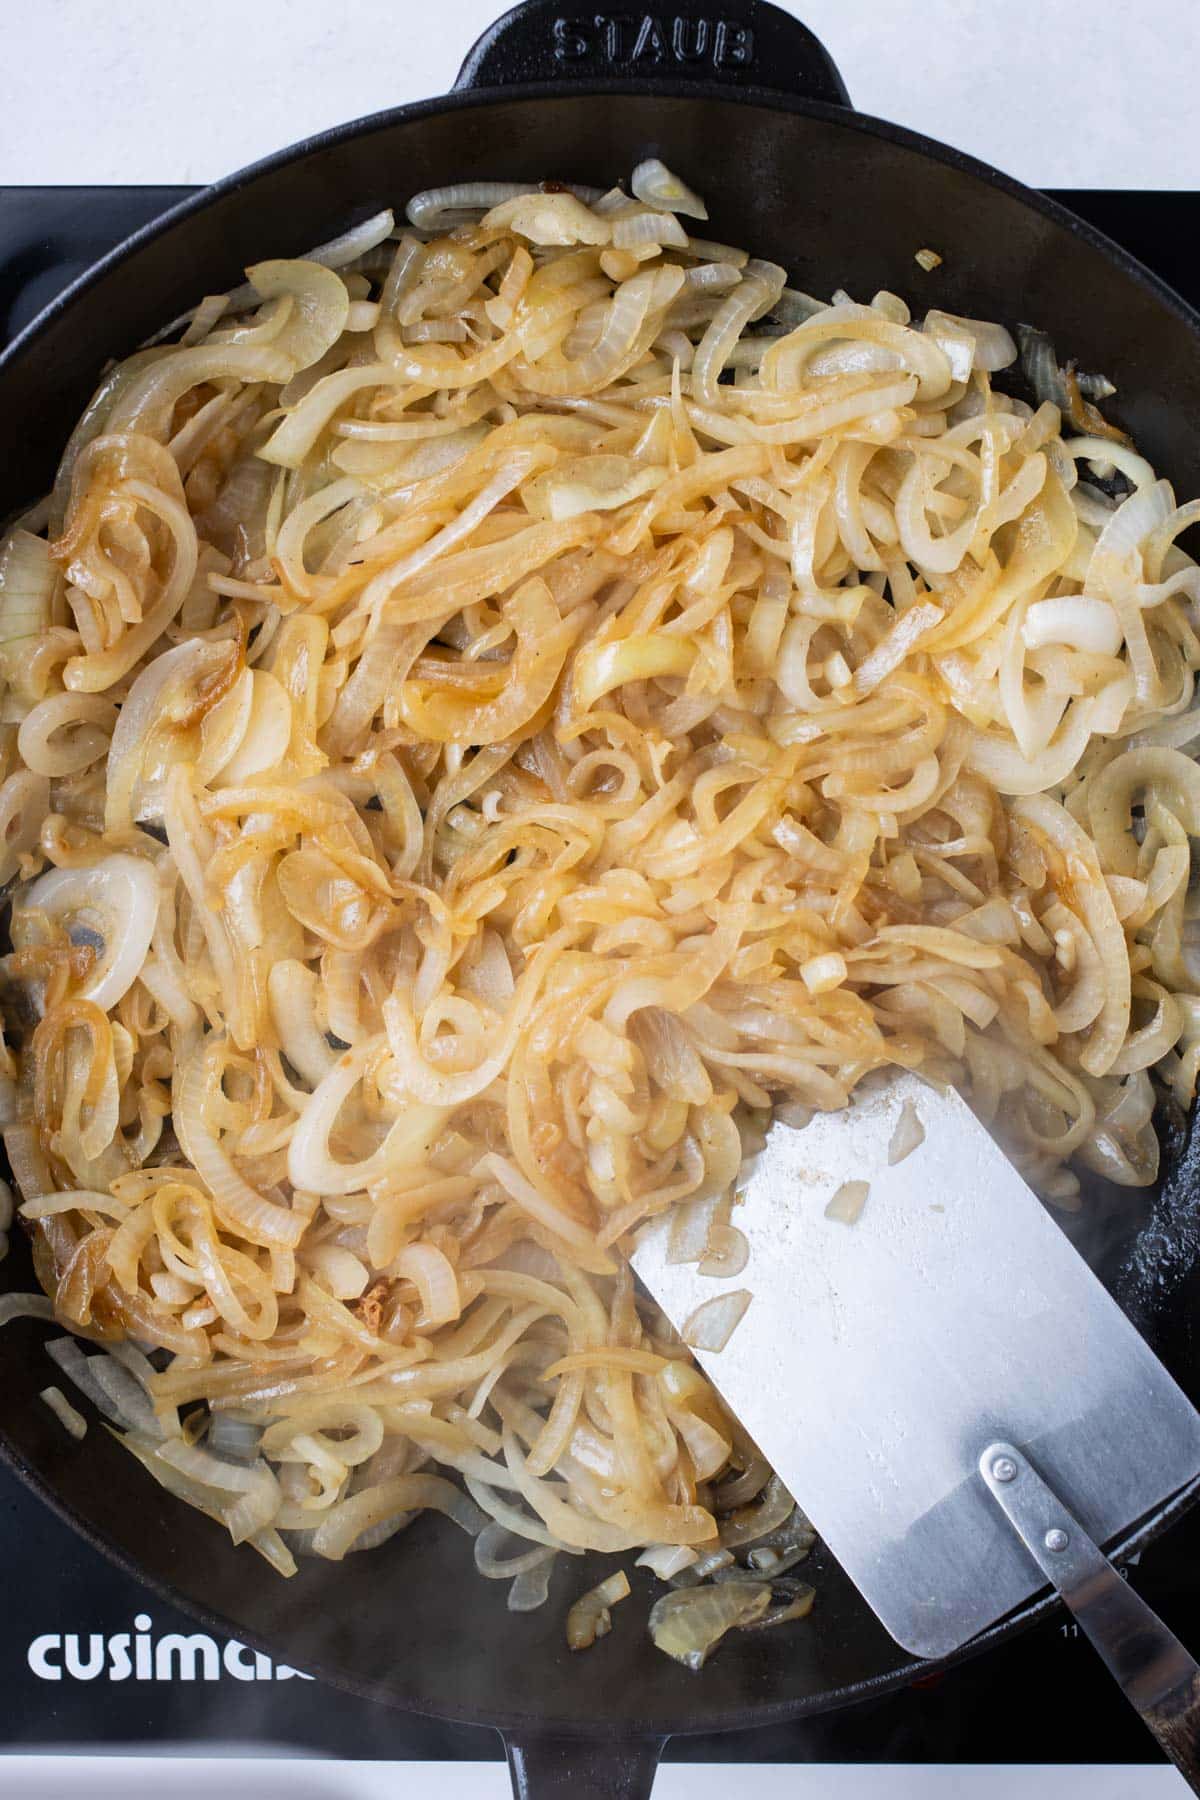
(951, 1394)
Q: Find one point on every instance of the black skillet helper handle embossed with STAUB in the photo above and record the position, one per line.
(728, 42)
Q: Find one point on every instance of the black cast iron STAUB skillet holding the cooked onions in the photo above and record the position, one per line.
(751, 111)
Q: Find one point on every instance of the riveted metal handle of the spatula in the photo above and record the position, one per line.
(1149, 1662)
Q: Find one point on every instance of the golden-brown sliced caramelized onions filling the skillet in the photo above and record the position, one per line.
(503, 714)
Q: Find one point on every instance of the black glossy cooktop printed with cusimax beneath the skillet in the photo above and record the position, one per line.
(84, 1659)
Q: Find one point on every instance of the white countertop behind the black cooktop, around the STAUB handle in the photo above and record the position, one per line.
(163, 93)
